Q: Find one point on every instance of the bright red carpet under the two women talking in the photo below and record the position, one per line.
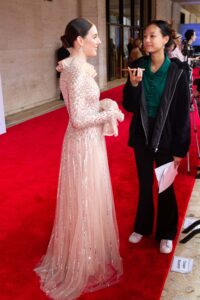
(29, 164)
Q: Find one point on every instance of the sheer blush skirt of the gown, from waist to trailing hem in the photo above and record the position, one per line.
(83, 252)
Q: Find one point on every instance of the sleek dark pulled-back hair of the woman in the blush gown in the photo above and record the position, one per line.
(76, 27)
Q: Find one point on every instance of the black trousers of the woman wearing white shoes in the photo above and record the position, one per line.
(167, 211)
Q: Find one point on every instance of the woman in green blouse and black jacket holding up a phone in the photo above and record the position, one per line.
(157, 93)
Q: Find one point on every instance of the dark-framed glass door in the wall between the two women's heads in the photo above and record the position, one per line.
(125, 20)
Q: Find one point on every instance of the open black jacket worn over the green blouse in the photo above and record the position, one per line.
(171, 130)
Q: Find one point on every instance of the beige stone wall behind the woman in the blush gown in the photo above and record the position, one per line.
(30, 32)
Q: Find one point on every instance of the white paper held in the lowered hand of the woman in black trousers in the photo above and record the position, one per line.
(165, 175)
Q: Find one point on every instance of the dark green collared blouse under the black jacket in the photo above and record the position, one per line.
(154, 84)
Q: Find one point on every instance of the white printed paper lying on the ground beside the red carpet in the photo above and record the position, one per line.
(182, 264)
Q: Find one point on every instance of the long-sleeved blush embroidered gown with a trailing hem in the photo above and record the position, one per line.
(83, 252)
